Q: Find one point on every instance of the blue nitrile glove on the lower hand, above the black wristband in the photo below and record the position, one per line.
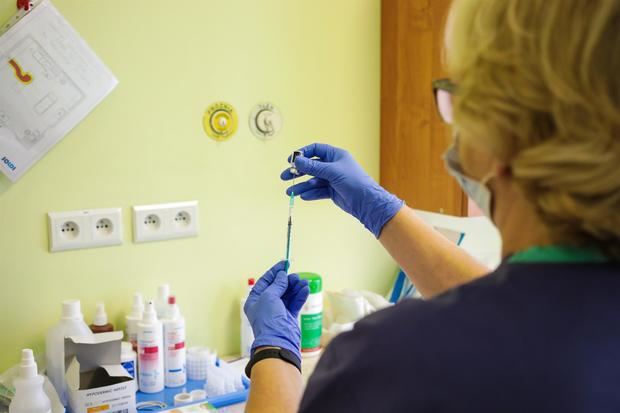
(273, 306)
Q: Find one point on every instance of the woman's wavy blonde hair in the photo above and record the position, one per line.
(539, 84)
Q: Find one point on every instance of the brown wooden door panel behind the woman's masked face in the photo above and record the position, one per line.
(413, 138)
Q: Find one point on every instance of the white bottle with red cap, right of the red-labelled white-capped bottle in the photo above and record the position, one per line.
(175, 355)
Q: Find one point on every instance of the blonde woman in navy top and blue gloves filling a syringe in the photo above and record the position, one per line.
(534, 103)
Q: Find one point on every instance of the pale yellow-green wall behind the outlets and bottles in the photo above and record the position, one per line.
(317, 60)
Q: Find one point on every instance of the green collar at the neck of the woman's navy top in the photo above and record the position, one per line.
(558, 253)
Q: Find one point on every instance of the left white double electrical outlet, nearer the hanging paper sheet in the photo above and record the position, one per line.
(84, 229)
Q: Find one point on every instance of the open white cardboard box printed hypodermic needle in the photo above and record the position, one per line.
(96, 381)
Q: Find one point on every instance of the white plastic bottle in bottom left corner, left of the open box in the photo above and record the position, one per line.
(29, 394)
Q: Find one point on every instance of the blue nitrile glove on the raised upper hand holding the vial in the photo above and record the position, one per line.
(339, 177)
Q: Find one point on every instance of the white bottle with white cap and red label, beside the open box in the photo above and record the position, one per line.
(150, 352)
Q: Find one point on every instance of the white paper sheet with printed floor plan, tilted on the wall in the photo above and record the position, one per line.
(50, 80)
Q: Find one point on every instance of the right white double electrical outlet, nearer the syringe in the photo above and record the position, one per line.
(165, 221)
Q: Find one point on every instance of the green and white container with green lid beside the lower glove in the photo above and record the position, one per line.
(311, 316)
